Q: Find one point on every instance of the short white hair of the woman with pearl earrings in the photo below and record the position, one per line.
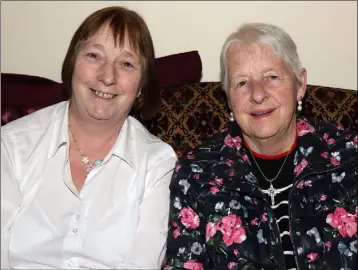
(261, 33)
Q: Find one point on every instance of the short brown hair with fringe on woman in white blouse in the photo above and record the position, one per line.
(120, 21)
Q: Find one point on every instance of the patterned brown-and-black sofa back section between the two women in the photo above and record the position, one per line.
(189, 114)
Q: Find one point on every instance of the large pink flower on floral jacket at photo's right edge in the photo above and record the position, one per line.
(345, 222)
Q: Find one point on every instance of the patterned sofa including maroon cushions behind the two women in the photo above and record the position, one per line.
(191, 110)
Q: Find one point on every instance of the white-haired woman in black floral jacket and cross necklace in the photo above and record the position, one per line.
(273, 190)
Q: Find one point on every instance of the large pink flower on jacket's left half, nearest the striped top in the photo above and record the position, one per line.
(232, 231)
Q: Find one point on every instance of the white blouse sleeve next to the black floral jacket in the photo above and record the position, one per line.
(149, 245)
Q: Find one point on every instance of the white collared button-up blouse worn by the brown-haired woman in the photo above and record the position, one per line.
(117, 221)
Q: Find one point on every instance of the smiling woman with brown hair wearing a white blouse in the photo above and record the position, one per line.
(85, 185)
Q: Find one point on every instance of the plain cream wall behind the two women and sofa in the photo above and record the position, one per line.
(35, 35)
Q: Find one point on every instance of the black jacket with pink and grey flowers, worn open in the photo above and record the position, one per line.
(220, 219)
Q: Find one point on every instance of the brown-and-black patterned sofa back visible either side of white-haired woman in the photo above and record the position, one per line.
(194, 112)
